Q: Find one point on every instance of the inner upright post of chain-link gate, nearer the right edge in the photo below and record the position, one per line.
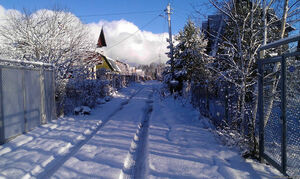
(283, 114)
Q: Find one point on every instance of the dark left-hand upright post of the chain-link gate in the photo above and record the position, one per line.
(261, 107)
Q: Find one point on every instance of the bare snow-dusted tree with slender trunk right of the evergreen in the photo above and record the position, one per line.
(236, 59)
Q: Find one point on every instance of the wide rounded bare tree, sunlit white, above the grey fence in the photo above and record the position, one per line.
(51, 36)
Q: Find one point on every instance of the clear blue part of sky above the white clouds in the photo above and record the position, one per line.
(96, 10)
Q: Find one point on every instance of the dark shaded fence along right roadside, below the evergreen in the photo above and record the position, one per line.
(217, 102)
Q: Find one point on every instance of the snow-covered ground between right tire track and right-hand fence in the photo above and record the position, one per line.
(182, 146)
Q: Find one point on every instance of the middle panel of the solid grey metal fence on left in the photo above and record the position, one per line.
(32, 99)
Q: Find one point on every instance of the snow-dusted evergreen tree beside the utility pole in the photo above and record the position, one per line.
(189, 55)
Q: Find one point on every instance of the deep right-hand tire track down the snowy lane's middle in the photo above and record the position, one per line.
(136, 162)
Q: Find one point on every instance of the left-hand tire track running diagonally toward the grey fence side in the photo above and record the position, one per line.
(58, 161)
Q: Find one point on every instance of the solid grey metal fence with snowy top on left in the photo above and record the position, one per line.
(26, 97)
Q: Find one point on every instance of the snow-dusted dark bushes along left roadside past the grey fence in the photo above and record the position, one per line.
(74, 92)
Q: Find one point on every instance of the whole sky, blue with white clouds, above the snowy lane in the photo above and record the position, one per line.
(128, 32)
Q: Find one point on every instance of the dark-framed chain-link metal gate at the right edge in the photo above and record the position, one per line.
(279, 108)
